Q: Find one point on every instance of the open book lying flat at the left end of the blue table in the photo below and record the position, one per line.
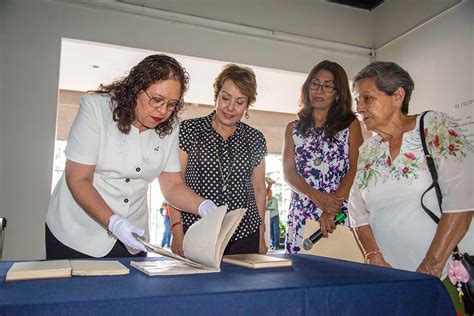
(30, 270)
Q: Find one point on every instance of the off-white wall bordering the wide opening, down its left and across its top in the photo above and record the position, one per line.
(30, 68)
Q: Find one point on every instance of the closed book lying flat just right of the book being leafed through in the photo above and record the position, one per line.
(257, 261)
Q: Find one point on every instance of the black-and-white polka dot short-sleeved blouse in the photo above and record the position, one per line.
(221, 170)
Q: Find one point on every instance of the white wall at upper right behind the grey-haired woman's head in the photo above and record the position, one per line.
(439, 56)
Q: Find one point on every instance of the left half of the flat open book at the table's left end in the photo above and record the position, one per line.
(31, 270)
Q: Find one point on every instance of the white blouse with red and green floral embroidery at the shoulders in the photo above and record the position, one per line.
(387, 191)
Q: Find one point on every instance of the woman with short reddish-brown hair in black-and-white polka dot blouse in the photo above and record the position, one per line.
(222, 159)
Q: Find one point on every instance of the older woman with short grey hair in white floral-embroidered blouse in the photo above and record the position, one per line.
(392, 174)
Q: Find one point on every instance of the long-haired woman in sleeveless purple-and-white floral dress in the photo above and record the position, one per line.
(320, 152)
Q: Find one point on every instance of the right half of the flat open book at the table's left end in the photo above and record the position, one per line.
(98, 267)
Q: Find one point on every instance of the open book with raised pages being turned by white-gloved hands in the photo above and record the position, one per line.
(203, 245)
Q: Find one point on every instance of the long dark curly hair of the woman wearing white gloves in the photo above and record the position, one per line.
(124, 92)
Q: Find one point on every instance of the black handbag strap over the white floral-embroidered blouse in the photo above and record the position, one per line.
(434, 175)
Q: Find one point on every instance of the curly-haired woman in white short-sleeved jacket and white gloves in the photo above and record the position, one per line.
(124, 136)
